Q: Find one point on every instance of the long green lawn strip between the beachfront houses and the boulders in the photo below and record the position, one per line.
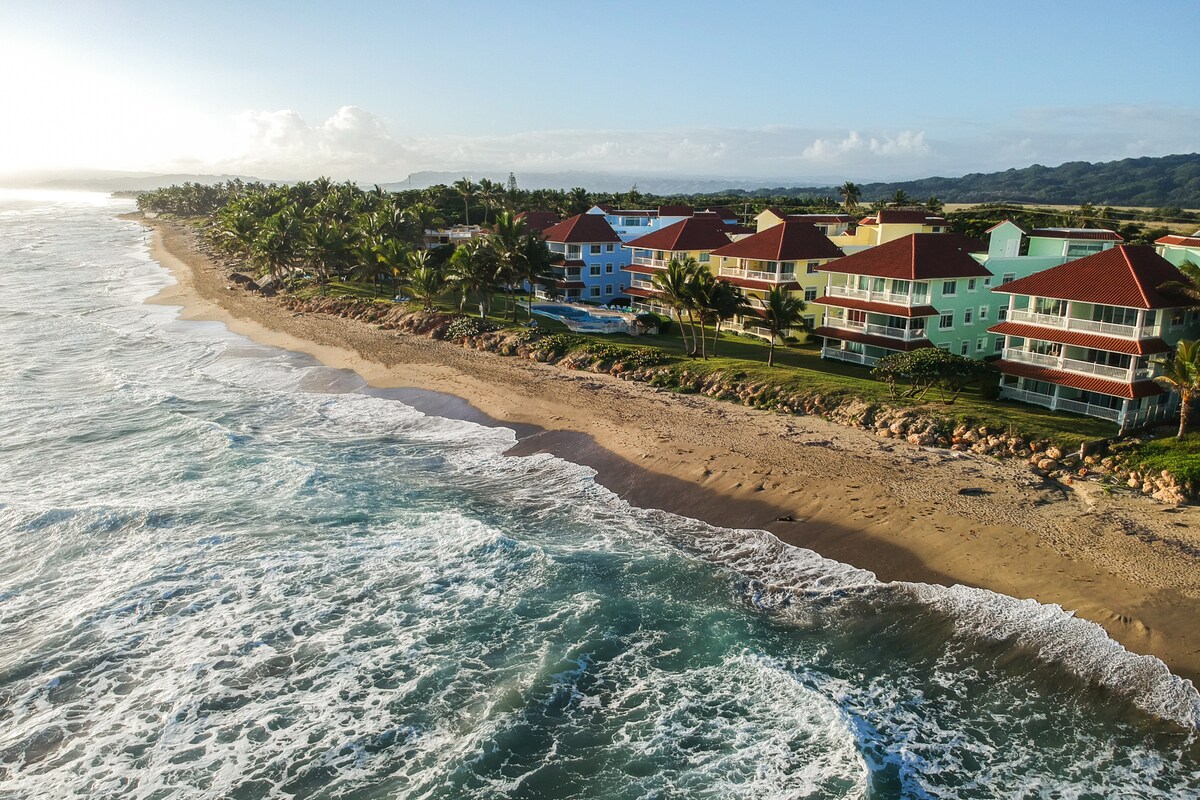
(800, 370)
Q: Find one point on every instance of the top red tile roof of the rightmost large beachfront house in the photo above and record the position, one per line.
(1127, 275)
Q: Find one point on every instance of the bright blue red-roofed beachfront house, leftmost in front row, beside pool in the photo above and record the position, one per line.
(591, 260)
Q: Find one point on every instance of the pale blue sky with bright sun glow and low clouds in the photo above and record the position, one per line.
(788, 92)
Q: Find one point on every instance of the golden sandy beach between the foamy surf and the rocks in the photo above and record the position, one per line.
(893, 509)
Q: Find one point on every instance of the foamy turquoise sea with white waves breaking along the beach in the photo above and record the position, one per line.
(227, 573)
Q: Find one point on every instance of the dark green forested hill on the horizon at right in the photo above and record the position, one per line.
(1157, 183)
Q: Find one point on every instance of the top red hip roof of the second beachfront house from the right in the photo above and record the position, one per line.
(917, 257)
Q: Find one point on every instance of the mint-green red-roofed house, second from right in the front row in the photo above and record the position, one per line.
(922, 291)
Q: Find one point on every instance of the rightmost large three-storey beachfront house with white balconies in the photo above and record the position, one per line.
(1082, 336)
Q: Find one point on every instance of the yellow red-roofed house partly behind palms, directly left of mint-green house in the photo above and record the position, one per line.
(789, 255)
